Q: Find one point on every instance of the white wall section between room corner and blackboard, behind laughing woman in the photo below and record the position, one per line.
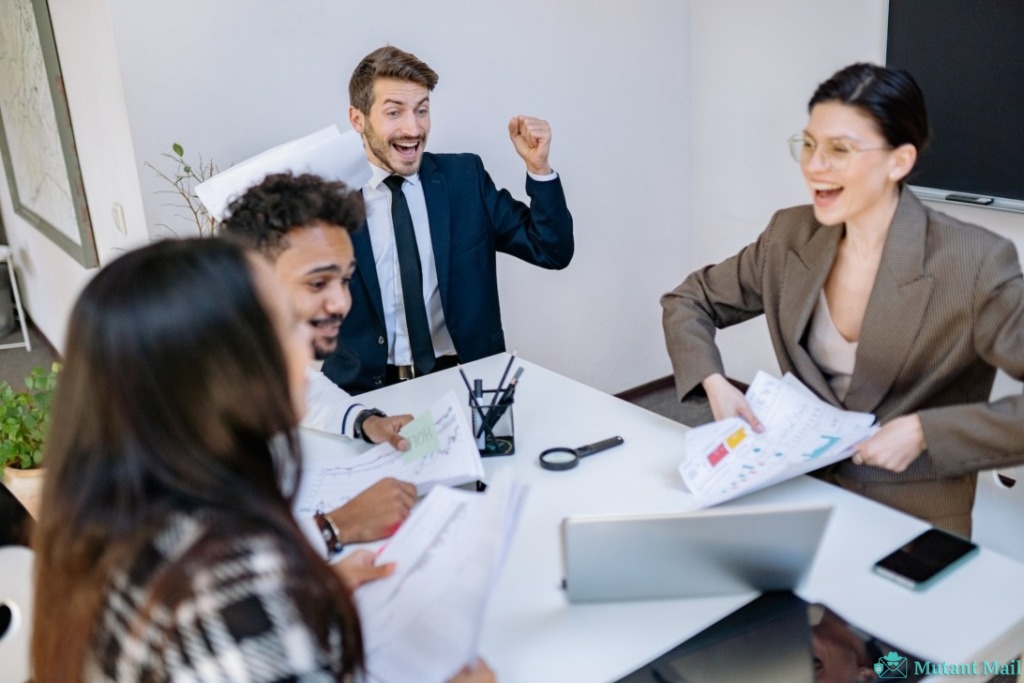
(755, 67)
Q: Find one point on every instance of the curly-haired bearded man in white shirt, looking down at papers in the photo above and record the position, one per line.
(302, 225)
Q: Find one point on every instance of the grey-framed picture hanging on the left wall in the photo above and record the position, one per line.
(36, 138)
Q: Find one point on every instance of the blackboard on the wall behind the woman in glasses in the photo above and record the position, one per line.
(968, 58)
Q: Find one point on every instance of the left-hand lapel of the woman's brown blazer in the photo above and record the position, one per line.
(806, 270)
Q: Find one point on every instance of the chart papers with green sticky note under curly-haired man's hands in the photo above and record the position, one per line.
(444, 452)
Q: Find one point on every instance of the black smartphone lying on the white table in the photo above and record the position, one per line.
(925, 560)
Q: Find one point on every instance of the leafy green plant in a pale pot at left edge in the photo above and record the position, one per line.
(25, 421)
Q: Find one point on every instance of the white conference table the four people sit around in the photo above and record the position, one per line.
(532, 634)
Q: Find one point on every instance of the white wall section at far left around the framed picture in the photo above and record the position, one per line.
(51, 280)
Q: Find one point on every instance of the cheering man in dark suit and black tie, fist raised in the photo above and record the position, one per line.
(460, 221)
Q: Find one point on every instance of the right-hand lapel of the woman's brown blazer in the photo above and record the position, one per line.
(895, 310)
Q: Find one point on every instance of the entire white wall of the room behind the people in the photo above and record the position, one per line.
(670, 121)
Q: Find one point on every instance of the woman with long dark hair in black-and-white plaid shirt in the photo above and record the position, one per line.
(166, 549)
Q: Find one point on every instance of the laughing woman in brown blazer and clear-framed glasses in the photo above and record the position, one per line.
(877, 304)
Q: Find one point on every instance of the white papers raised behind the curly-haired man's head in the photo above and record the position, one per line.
(328, 153)
